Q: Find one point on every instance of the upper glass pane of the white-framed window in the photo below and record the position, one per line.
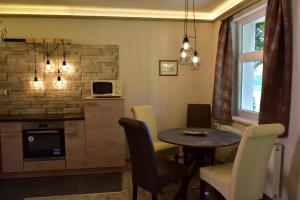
(253, 35)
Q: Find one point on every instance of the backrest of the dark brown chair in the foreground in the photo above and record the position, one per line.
(142, 155)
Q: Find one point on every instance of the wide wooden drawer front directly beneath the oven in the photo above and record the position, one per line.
(46, 165)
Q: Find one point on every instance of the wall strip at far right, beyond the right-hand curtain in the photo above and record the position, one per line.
(291, 174)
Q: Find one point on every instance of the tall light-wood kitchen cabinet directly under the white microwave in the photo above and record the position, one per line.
(105, 140)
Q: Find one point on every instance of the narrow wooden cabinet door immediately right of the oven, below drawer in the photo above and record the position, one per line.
(75, 149)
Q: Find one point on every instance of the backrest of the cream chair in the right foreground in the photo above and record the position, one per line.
(250, 164)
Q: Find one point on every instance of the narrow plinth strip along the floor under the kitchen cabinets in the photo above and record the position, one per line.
(61, 172)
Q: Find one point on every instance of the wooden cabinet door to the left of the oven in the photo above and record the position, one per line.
(12, 152)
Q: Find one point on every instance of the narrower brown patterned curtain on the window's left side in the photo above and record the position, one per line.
(221, 105)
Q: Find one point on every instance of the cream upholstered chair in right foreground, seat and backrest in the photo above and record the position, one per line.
(244, 178)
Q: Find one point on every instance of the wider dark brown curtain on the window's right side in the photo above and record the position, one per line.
(277, 72)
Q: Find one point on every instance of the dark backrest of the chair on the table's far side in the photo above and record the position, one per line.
(198, 115)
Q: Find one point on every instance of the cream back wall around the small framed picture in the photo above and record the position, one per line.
(142, 45)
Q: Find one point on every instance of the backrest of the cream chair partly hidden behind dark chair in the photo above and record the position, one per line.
(146, 114)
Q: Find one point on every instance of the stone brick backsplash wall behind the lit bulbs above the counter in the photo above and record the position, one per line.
(87, 62)
